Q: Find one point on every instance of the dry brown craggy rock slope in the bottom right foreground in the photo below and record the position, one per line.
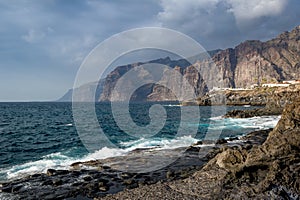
(267, 171)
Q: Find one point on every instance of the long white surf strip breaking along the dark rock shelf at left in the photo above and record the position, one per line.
(60, 161)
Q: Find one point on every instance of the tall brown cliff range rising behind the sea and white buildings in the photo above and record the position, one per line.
(251, 62)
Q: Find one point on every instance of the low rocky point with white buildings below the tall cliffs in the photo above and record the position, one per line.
(273, 98)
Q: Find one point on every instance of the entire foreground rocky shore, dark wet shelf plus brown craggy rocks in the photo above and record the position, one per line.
(262, 164)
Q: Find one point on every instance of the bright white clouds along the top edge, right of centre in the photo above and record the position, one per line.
(241, 9)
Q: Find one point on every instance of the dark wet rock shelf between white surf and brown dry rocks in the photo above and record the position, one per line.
(88, 180)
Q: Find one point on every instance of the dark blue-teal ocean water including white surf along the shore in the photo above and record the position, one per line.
(38, 136)
